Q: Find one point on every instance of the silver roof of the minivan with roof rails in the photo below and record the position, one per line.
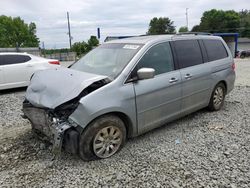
(156, 38)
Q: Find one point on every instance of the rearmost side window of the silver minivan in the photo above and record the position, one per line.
(215, 49)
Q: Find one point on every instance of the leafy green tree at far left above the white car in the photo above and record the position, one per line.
(15, 33)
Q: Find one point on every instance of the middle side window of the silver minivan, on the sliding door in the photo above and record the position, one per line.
(188, 53)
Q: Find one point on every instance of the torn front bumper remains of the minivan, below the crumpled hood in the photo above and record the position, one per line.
(59, 133)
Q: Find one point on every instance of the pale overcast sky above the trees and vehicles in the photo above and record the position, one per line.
(114, 17)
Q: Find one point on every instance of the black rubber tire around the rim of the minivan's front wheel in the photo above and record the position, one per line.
(86, 141)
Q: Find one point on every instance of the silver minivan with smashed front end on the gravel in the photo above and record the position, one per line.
(126, 87)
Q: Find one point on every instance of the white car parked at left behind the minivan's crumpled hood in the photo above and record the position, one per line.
(17, 68)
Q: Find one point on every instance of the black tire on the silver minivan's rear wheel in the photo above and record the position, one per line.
(213, 105)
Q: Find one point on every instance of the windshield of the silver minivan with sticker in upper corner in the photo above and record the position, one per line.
(107, 59)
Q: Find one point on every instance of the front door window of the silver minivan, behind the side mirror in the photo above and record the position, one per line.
(159, 57)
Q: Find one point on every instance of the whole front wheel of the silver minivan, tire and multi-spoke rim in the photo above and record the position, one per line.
(104, 137)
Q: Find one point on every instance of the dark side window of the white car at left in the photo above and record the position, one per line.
(14, 59)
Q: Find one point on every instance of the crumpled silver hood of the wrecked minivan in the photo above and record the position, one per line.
(53, 87)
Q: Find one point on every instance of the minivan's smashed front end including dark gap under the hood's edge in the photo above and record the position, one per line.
(53, 124)
